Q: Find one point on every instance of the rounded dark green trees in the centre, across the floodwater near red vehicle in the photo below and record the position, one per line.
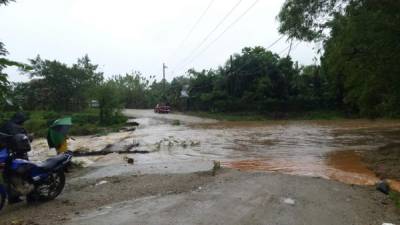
(257, 80)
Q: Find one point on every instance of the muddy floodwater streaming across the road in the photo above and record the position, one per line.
(327, 149)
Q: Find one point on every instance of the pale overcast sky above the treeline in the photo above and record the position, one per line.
(126, 35)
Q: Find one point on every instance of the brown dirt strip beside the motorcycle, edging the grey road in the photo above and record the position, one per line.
(86, 194)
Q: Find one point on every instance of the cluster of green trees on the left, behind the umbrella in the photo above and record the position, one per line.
(68, 90)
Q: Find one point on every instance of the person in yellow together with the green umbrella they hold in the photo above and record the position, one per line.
(58, 134)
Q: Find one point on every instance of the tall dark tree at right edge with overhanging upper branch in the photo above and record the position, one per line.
(361, 52)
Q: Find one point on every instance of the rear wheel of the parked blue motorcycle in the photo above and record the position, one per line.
(49, 189)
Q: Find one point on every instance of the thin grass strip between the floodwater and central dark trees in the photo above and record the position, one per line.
(256, 116)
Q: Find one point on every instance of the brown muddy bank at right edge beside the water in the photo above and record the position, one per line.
(384, 161)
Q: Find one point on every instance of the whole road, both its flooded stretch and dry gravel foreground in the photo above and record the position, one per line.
(172, 184)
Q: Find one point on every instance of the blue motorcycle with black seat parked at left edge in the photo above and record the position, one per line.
(20, 177)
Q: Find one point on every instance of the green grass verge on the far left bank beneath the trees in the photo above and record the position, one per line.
(84, 123)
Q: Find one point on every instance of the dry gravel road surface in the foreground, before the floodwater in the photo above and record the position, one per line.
(231, 197)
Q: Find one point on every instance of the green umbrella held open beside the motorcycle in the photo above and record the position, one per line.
(58, 131)
